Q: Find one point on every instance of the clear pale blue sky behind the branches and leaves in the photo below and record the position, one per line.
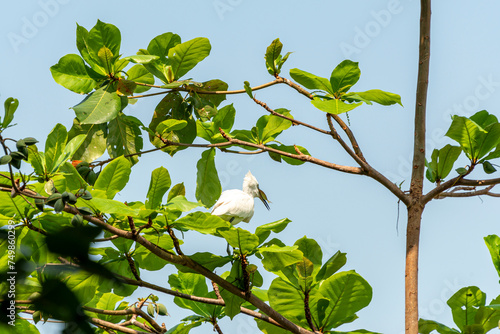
(350, 213)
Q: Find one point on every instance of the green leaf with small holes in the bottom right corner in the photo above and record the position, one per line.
(464, 305)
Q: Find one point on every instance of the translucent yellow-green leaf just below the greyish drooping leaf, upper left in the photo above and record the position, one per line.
(94, 144)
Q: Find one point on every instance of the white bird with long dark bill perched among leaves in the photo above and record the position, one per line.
(237, 205)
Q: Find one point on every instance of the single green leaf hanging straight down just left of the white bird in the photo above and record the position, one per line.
(208, 188)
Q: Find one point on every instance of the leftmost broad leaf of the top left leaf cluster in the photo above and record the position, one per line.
(72, 73)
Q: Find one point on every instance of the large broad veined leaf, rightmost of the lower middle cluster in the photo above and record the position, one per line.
(348, 293)
